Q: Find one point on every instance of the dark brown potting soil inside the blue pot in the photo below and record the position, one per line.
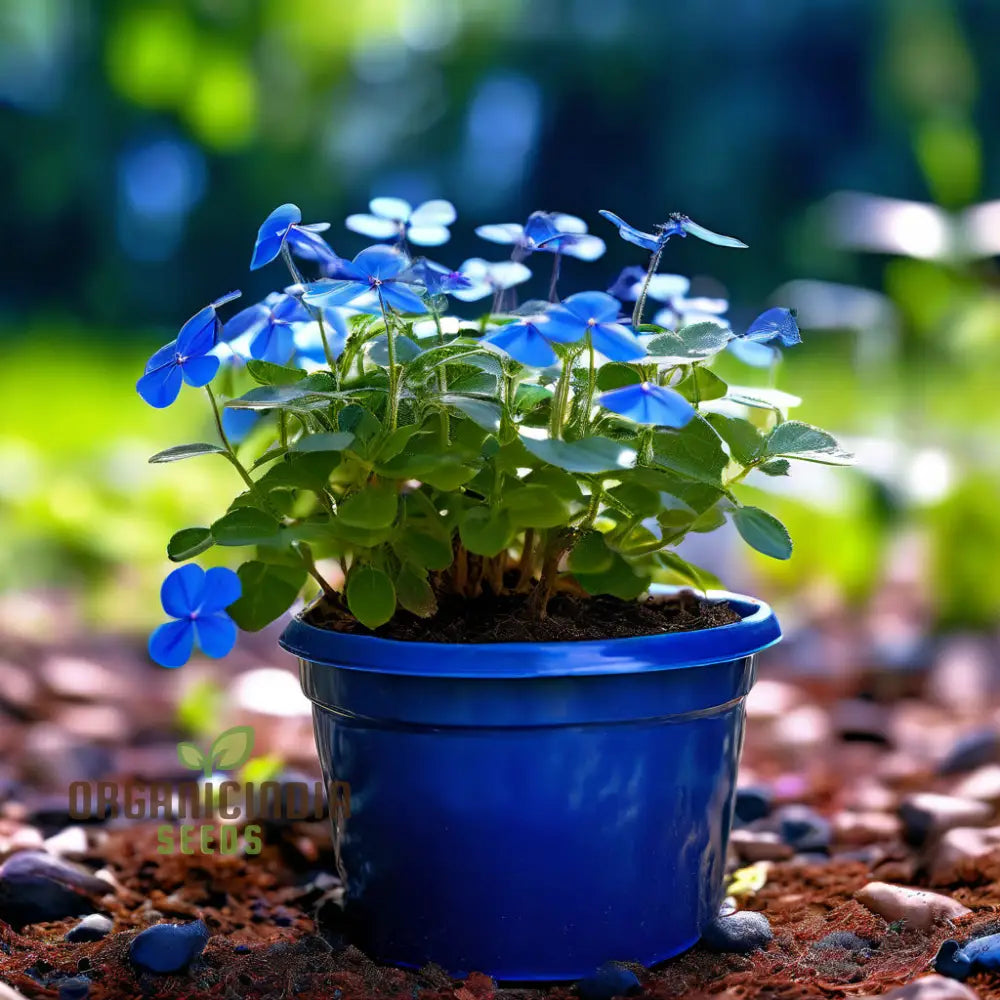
(570, 618)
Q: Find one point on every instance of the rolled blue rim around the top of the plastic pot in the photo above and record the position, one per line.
(757, 630)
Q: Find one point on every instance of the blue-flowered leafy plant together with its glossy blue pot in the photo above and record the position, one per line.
(541, 738)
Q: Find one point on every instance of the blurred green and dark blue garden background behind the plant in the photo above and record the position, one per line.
(853, 143)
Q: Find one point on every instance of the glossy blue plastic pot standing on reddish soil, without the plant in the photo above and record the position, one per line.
(531, 810)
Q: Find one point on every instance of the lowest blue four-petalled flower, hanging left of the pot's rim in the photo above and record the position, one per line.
(197, 600)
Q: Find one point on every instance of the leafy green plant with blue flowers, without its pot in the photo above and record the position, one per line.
(539, 450)
